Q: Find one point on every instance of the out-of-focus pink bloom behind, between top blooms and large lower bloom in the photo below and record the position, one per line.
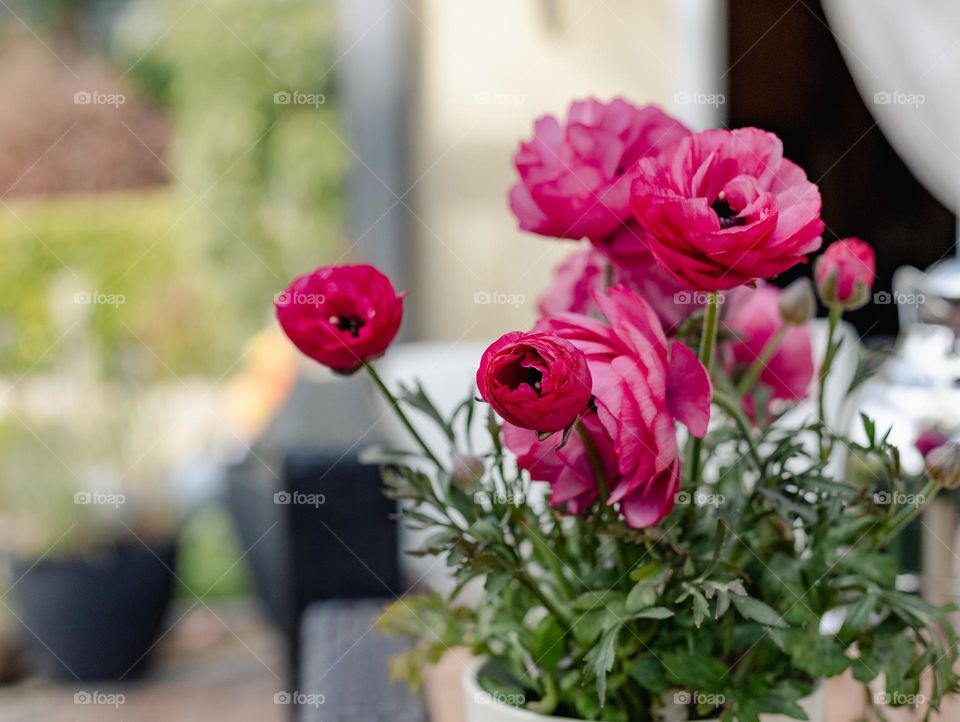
(588, 270)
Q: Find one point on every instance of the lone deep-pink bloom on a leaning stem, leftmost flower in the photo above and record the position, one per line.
(341, 316)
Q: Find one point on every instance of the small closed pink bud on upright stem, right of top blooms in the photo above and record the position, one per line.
(845, 273)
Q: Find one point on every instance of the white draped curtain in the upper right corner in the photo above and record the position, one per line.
(904, 56)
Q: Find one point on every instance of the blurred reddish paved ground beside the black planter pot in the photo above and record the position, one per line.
(205, 670)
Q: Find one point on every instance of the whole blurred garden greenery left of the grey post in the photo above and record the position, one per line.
(142, 240)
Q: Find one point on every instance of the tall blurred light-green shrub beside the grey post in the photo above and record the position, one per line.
(264, 175)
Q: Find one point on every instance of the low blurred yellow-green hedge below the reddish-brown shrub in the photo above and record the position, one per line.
(117, 260)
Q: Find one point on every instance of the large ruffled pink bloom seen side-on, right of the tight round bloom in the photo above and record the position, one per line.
(642, 385)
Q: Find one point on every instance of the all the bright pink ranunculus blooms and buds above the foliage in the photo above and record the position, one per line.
(591, 396)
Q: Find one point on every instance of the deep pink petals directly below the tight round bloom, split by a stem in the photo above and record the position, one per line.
(567, 469)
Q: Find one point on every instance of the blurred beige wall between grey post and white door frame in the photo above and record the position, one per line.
(487, 68)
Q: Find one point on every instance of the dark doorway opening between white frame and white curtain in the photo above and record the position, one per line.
(787, 75)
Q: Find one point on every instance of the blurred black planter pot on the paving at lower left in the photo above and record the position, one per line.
(95, 618)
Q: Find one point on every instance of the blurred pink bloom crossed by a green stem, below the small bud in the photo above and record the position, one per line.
(751, 316)
